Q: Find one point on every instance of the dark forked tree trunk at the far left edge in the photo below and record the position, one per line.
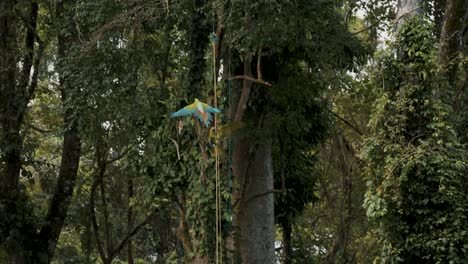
(15, 92)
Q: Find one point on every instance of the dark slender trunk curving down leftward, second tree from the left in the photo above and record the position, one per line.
(71, 150)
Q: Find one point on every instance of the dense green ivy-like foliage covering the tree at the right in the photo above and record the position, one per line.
(416, 166)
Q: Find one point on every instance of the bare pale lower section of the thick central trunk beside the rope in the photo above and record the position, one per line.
(254, 211)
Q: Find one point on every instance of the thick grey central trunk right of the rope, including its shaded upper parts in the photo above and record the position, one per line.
(253, 222)
